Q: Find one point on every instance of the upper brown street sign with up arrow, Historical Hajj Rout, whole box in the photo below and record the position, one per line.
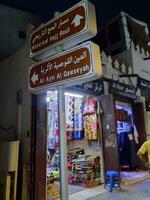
(74, 26)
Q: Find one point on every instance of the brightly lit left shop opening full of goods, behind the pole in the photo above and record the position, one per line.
(84, 148)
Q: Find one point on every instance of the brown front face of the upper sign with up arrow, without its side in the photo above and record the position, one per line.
(67, 25)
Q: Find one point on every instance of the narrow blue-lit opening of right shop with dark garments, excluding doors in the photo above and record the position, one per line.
(127, 136)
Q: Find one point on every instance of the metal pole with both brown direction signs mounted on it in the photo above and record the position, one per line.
(67, 68)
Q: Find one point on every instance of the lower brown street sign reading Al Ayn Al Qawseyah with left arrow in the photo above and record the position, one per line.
(72, 67)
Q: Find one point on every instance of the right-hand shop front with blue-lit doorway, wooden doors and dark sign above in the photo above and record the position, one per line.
(125, 127)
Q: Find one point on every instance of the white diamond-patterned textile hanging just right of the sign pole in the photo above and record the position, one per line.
(69, 110)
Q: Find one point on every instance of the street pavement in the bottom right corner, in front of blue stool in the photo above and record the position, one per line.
(139, 191)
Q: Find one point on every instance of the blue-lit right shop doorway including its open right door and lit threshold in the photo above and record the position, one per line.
(131, 135)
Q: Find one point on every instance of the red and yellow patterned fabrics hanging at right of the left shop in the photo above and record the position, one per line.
(90, 119)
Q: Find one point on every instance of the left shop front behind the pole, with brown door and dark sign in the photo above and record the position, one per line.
(84, 141)
